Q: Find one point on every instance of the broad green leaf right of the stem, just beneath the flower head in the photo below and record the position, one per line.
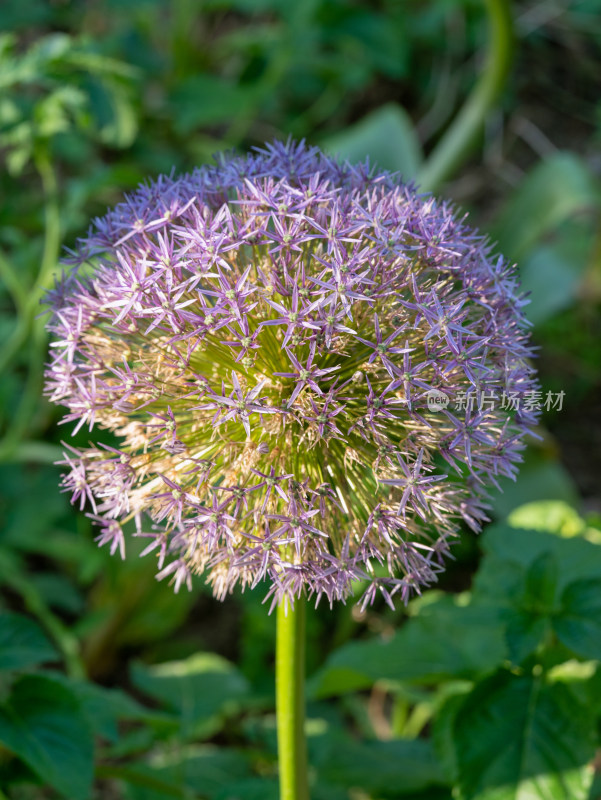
(444, 640)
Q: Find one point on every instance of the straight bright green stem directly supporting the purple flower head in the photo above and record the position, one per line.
(290, 700)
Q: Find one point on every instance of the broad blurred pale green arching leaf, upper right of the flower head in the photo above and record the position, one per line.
(556, 190)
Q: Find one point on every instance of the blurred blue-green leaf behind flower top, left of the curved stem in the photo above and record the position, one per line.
(386, 135)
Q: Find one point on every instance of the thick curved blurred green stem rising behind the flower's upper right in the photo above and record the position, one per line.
(463, 133)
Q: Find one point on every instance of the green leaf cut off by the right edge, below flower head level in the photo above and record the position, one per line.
(578, 624)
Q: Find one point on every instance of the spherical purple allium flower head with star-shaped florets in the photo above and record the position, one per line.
(263, 338)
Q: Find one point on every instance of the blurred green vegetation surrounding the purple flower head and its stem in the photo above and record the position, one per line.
(488, 688)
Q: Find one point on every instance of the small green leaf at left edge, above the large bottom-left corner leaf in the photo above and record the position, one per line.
(22, 643)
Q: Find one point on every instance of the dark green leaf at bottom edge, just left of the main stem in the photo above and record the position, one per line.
(193, 770)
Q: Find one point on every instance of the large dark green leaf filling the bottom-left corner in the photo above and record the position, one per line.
(43, 724)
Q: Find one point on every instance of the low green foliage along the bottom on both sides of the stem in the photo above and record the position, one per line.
(493, 692)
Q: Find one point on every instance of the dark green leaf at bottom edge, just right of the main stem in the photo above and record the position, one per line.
(389, 769)
